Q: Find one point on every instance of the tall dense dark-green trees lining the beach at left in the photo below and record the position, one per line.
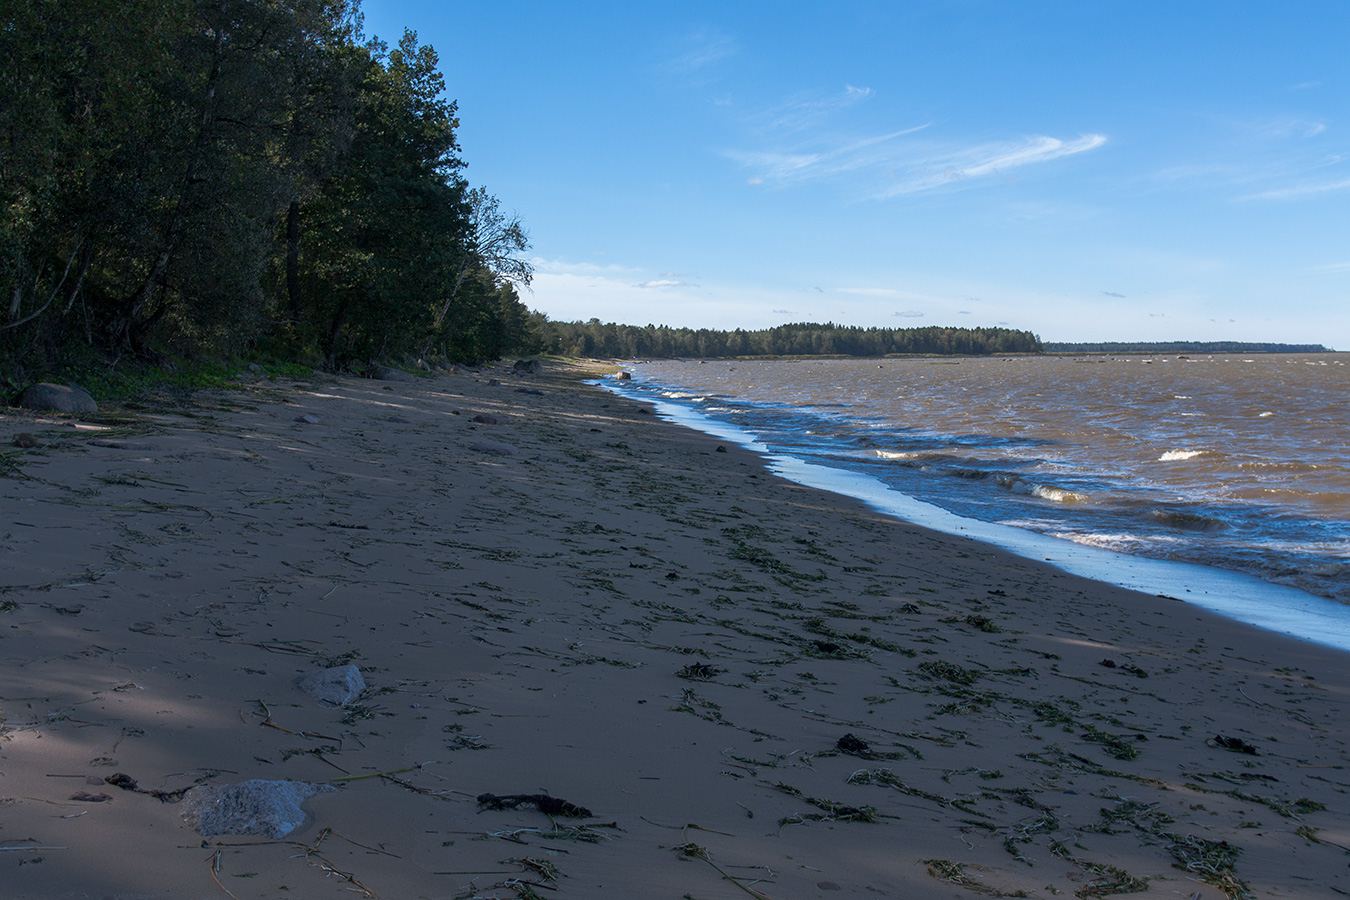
(217, 176)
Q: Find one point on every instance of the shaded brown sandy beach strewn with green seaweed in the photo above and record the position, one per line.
(754, 689)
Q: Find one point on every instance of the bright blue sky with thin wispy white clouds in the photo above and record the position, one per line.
(1087, 171)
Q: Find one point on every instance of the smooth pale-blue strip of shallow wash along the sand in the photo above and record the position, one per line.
(1243, 598)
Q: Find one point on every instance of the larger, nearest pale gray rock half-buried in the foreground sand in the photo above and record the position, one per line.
(267, 809)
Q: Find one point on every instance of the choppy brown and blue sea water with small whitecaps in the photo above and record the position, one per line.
(1236, 463)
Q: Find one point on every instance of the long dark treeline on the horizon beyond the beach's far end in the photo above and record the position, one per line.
(803, 339)
